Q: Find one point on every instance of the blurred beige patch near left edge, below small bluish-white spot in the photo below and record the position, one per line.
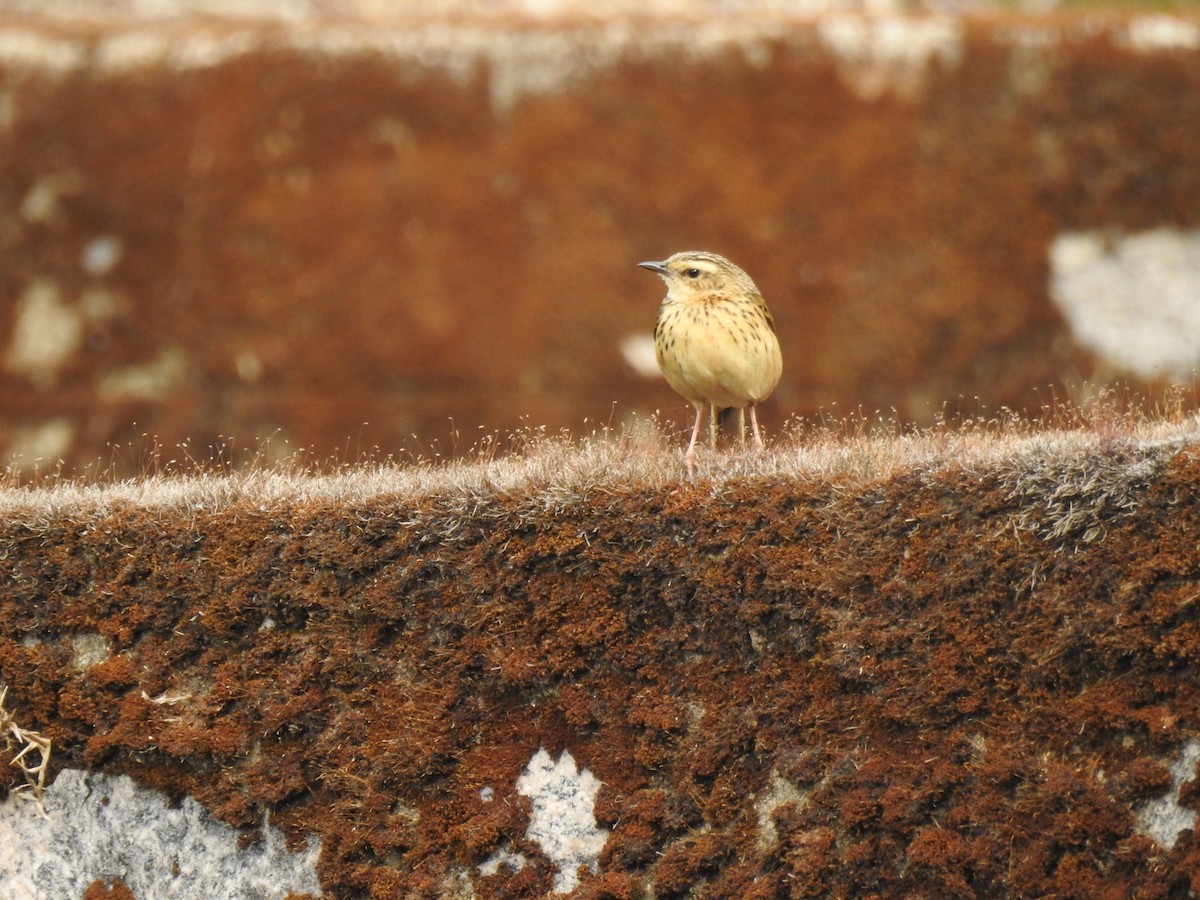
(46, 334)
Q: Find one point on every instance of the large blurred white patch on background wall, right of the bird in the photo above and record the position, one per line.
(1132, 299)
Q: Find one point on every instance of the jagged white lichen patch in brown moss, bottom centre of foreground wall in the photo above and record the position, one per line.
(563, 823)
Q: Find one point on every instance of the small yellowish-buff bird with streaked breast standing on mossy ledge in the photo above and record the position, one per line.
(716, 340)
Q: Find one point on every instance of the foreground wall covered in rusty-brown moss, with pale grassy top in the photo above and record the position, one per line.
(949, 664)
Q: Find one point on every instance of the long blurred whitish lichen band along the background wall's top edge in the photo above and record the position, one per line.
(875, 51)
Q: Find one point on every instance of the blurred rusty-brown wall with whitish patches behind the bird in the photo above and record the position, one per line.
(375, 229)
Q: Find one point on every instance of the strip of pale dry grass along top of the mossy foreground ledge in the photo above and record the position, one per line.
(1081, 470)
